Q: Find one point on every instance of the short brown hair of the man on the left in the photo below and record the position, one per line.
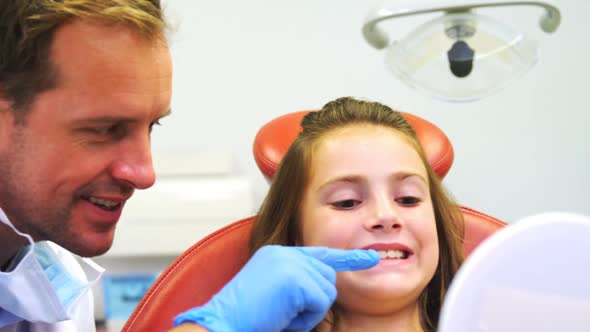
(26, 33)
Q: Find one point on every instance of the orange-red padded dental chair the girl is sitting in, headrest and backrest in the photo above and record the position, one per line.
(203, 269)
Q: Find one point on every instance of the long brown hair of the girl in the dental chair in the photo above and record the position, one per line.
(277, 221)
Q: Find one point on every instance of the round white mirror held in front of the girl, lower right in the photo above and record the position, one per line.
(532, 275)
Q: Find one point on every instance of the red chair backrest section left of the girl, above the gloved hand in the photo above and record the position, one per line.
(191, 280)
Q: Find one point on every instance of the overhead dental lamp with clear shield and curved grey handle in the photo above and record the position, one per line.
(460, 55)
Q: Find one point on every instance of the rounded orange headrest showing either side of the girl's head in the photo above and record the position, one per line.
(274, 139)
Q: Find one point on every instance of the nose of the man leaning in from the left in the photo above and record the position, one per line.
(134, 165)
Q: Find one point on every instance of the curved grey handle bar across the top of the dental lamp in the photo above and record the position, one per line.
(377, 38)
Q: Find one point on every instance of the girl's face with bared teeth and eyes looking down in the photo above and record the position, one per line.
(369, 189)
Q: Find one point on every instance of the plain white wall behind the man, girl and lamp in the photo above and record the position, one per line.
(239, 64)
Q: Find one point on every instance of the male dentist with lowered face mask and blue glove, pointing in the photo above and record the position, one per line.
(82, 85)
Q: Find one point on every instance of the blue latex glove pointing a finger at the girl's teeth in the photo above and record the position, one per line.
(280, 289)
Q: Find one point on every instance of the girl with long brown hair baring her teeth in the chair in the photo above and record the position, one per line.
(356, 177)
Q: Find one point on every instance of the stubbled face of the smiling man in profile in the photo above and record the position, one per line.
(85, 145)
